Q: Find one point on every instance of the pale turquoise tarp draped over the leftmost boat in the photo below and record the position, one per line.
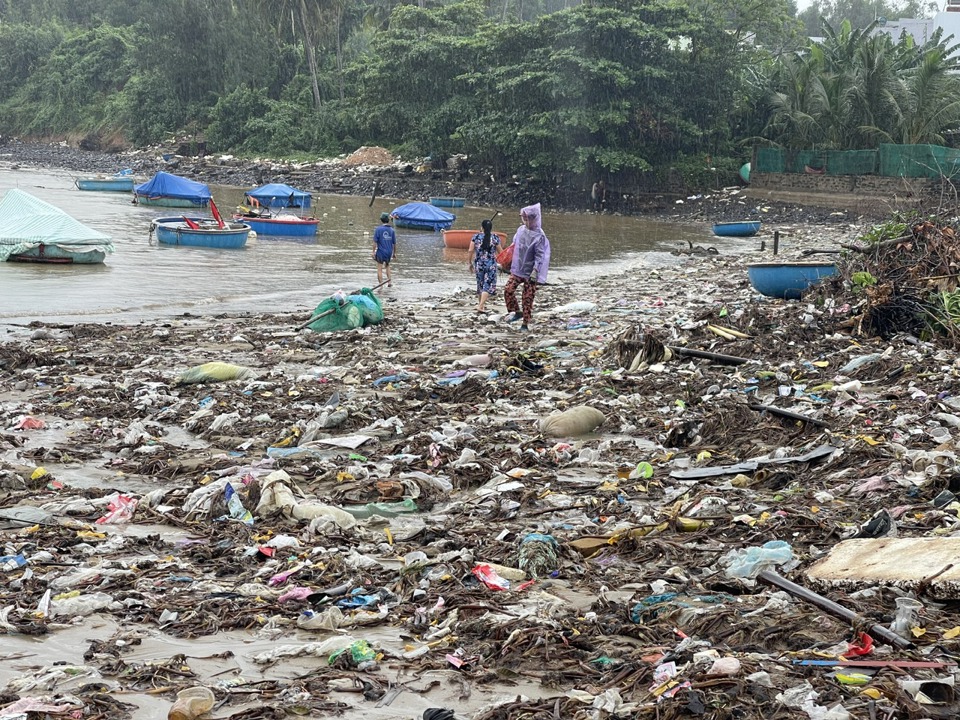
(27, 221)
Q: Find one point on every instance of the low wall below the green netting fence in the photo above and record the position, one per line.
(856, 193)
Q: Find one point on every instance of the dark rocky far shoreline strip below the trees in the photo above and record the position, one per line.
(400, 179)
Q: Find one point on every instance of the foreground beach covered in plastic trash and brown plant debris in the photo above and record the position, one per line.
(673, 498)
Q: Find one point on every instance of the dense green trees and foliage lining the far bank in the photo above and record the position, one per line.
(547, 88)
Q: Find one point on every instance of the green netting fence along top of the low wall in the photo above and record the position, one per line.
(920, 161)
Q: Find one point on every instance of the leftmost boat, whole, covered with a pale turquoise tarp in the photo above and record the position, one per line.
(33, 230)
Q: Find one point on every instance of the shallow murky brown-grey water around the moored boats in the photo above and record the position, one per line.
(144, 280)
